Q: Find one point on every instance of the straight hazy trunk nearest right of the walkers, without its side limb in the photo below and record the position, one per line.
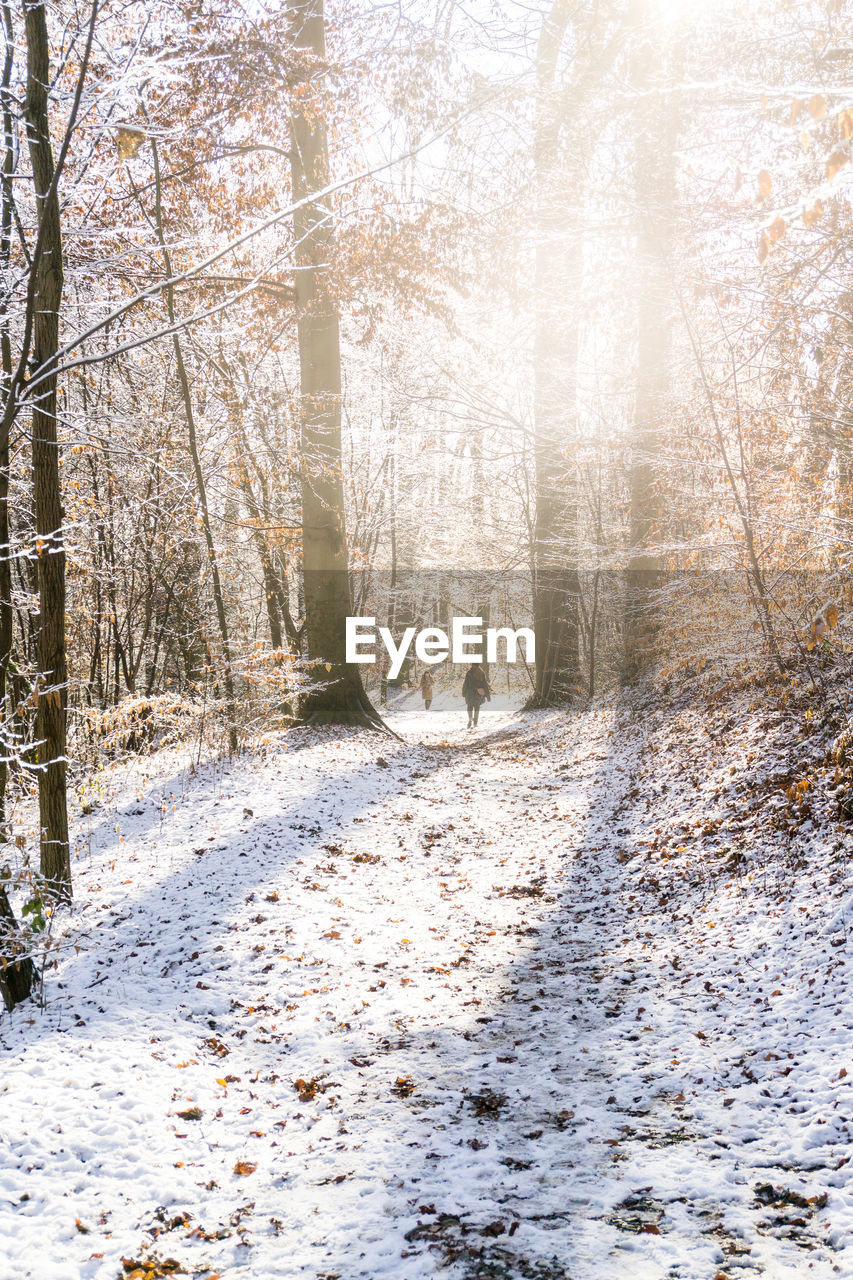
(556, 587)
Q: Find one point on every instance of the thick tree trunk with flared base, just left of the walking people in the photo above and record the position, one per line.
(329, 598)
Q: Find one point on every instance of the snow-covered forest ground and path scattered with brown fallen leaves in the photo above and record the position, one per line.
(559, 998)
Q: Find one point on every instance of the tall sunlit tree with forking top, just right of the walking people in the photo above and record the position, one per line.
(587, 43)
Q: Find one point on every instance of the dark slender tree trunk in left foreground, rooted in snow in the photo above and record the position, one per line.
(51, 650)
